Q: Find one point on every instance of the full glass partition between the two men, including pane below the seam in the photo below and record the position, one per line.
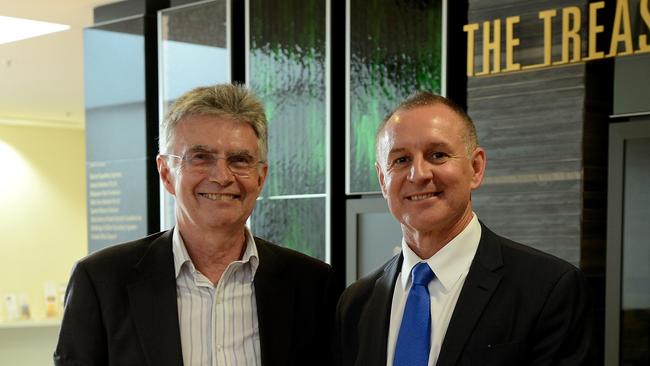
(287, 68)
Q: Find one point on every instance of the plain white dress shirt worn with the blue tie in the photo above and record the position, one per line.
(450, 266)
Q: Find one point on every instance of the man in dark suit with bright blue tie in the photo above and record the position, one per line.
(458, 294)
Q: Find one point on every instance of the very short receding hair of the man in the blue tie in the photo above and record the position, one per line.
(424, 99)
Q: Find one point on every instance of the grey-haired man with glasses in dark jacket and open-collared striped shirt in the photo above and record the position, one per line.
(208, 291)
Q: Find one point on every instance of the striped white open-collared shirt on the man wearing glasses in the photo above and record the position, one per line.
(218, 324)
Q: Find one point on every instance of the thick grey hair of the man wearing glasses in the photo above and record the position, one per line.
(231, 101)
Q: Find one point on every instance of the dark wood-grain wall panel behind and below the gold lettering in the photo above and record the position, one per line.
(546, 134)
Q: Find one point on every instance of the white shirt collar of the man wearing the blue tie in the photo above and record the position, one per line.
(450, 262)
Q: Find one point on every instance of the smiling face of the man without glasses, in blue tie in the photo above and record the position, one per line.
(425, 170)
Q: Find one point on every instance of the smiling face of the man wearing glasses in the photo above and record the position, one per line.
(214, 197)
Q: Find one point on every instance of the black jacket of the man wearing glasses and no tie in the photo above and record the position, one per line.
(121, 307)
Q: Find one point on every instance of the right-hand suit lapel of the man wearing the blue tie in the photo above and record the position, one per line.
(479, 286)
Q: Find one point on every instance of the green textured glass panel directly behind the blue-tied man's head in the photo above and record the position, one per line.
(393, 53)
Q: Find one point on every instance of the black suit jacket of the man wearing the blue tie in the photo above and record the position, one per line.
(518, 306)
